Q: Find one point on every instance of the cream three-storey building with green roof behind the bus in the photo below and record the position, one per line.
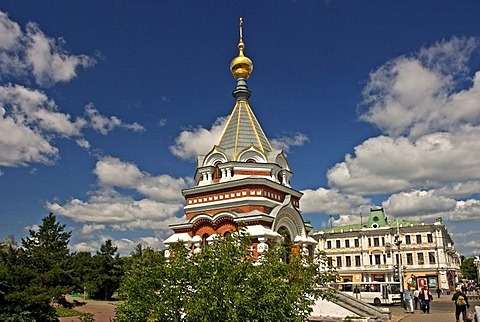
(419, 254)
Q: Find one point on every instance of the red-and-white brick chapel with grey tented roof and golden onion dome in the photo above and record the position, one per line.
(243, 182)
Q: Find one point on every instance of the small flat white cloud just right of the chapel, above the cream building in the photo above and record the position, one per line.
(330, 201)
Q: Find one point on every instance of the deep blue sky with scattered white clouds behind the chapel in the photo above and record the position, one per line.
(104, 105)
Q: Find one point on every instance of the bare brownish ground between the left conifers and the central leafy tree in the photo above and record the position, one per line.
(103, 311)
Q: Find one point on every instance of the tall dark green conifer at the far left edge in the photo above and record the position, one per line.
(36, 274)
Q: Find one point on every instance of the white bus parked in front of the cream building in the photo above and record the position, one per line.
(376, 293)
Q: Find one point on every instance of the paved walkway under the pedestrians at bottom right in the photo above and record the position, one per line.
(441, 310)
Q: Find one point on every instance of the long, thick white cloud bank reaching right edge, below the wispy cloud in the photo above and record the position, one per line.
(385, 165)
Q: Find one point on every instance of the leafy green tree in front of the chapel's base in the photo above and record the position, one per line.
(223, 282)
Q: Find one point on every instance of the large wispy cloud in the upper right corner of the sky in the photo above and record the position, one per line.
(418, 95)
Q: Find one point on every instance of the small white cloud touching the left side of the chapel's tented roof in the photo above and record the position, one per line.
(198, 141)
